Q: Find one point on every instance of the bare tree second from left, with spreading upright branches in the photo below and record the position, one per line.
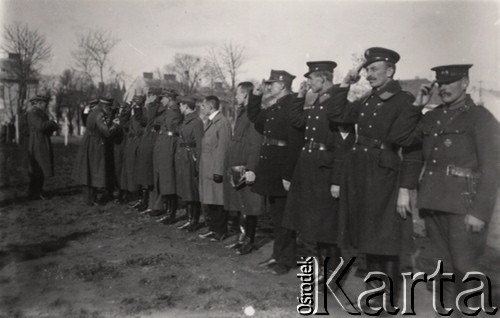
(93, 49)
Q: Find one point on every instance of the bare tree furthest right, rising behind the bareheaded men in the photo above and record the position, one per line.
(225, 62)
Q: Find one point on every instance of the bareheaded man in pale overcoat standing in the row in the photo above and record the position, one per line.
(216, 136)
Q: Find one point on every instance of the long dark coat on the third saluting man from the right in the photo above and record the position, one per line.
(311, 210)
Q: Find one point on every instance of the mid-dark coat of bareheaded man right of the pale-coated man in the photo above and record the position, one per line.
(243, 150)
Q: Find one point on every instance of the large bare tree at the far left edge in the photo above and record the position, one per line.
(31, 50)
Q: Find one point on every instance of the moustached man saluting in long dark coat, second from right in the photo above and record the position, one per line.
(375, 183)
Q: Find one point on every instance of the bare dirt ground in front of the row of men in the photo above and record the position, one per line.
(59, 258)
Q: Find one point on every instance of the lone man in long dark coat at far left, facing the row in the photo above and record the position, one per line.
(40, 154)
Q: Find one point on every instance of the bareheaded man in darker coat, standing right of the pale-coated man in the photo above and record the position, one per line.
(242, 157)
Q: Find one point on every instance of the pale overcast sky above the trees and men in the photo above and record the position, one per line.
(276, 34)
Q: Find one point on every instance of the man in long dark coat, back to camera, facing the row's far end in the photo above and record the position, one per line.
(92, 162)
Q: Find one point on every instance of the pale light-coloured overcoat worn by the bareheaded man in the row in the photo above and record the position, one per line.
(217, 134)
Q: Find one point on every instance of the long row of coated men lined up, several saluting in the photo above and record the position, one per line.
(336, 186)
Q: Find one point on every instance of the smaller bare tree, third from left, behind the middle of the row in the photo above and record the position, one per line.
(189, 70)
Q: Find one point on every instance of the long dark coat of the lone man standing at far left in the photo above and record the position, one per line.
(40, 154)
